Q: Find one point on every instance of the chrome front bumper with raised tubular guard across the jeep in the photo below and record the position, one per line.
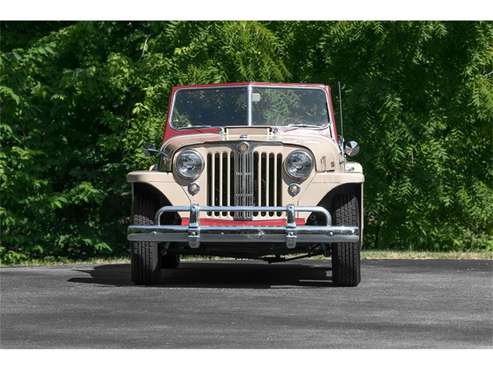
(290, 234)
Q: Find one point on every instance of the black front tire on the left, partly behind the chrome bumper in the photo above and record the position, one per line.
(145, 256)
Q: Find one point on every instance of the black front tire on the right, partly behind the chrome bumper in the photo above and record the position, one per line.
(346, 263)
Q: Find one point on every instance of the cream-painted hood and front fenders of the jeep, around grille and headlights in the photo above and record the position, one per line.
(331, 170)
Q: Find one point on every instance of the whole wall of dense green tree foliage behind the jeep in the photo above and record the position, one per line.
(78, 100)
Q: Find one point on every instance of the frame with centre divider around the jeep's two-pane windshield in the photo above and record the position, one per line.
(249, 87)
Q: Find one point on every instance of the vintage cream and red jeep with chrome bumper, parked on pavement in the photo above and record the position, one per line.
(248, 170)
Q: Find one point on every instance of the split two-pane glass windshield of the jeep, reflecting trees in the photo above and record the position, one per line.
(232, 106)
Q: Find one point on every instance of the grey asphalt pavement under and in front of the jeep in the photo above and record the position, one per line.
(400, 303)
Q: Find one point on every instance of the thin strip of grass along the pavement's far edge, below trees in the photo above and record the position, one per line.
(365, 255)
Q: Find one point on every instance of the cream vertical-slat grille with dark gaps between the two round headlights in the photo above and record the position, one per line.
(249, 178)
